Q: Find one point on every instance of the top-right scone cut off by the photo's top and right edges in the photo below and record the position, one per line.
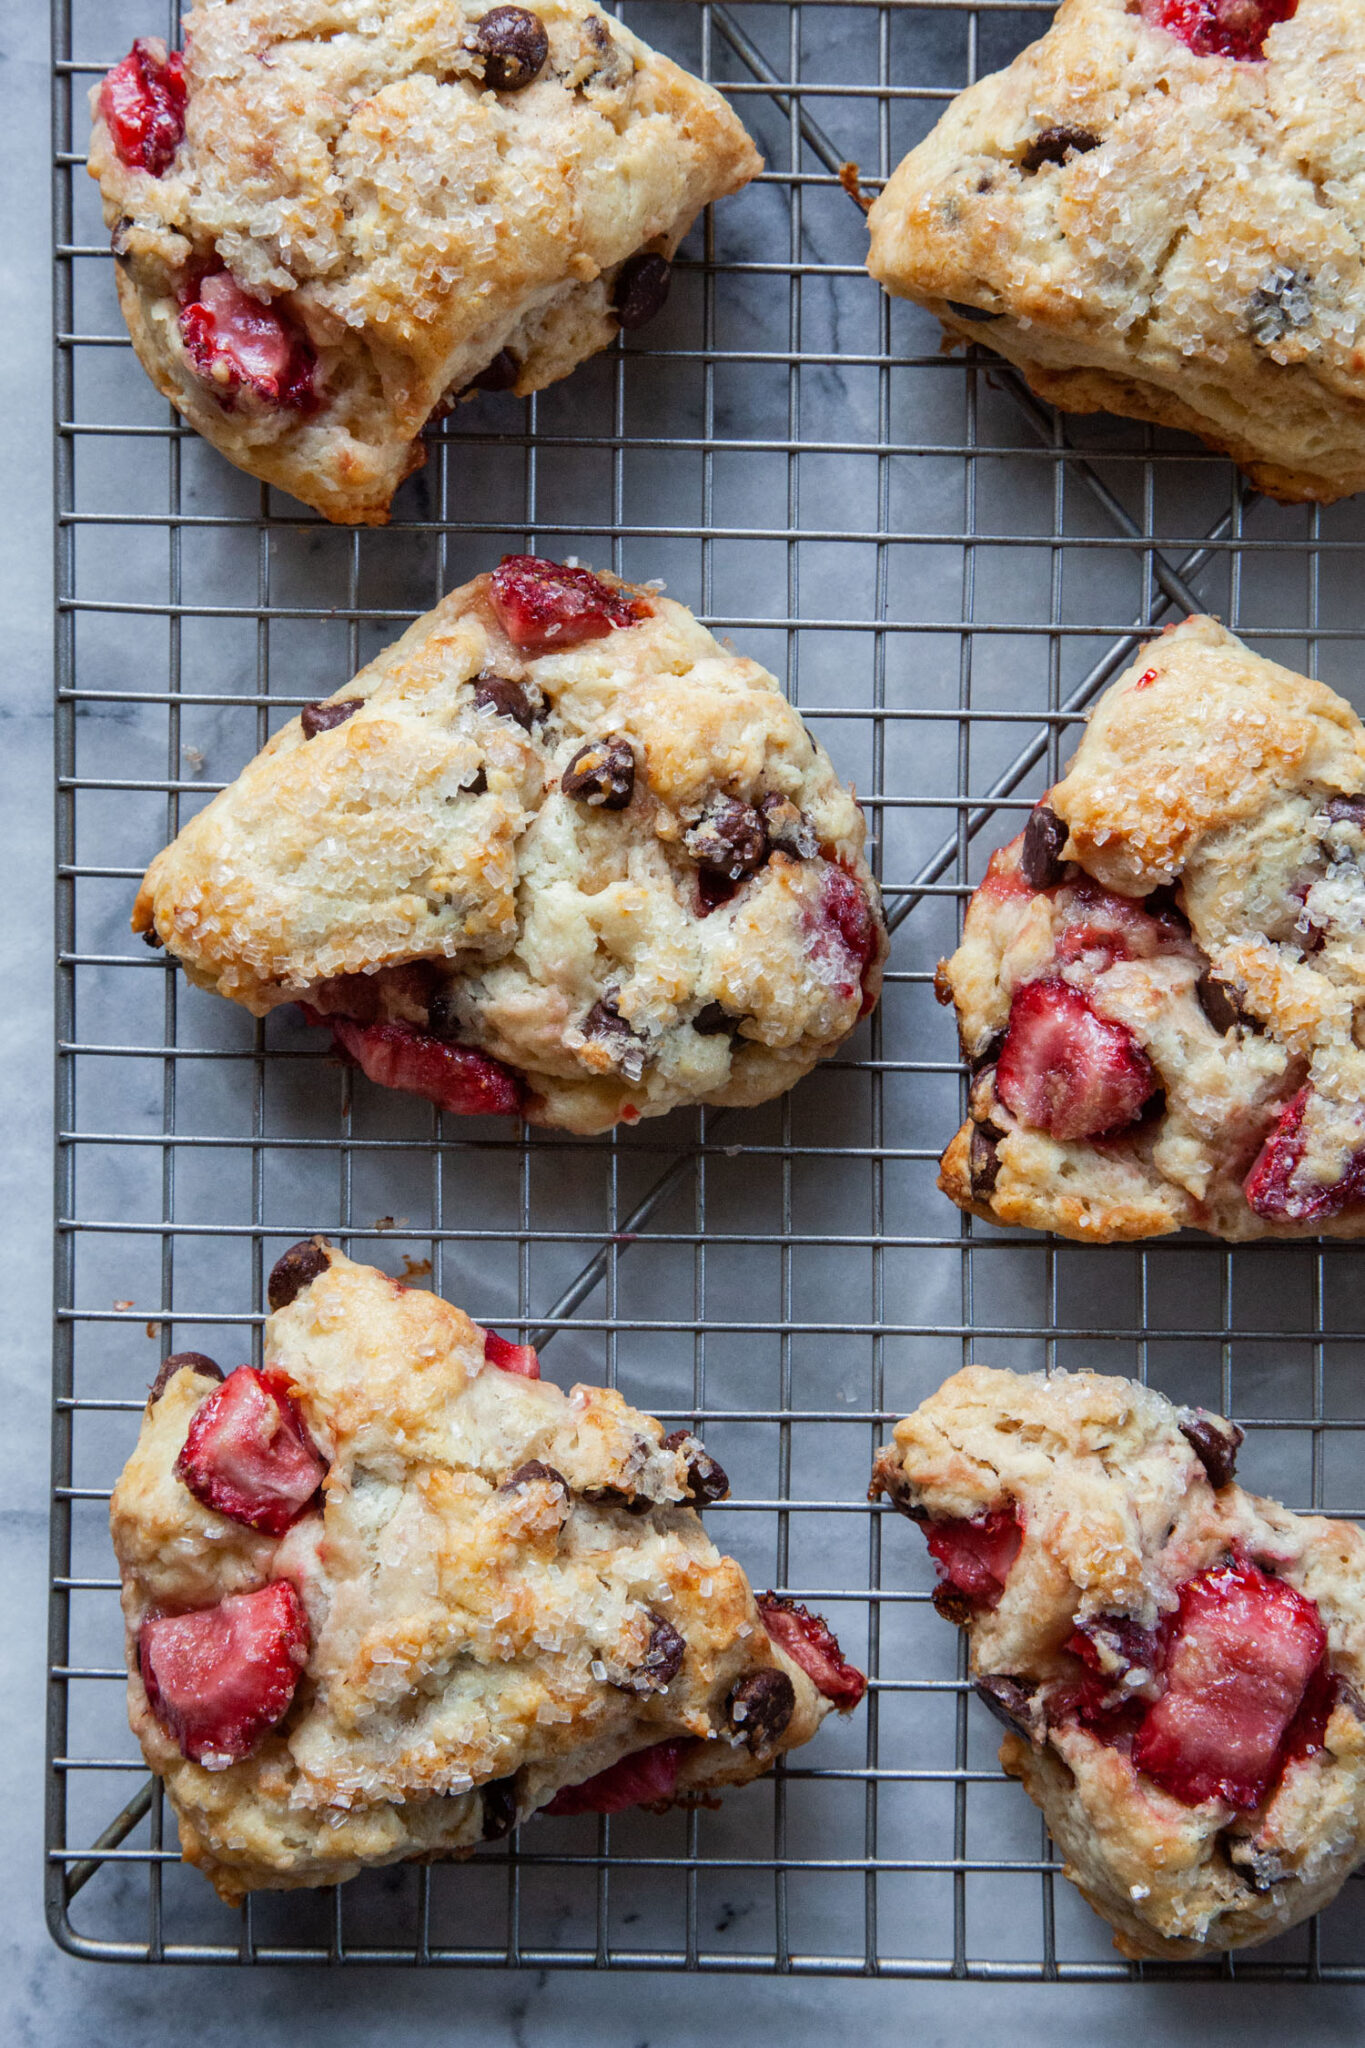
(1157, 210)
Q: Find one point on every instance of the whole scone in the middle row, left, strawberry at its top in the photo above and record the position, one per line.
(554, 855)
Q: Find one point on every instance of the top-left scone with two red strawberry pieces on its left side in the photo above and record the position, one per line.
(335, 218)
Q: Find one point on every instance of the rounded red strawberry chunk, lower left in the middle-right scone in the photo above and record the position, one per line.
(1065, 1070)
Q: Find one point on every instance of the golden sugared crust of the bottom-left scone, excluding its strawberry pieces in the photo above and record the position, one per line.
(464, 1633)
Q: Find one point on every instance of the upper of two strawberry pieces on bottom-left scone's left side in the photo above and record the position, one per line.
(249, 1453)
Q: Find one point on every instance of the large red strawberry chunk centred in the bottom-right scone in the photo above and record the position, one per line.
(1243, 1656)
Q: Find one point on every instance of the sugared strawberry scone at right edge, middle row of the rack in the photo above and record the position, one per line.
(1161, 982)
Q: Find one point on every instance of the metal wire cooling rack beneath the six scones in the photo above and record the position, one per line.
(944, 574)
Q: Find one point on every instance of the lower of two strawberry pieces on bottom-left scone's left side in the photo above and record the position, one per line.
(220, 1678)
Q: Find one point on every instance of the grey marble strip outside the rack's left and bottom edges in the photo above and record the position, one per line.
(48, 1998)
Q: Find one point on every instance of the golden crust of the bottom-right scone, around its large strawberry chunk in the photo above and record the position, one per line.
(1116, 1512)
